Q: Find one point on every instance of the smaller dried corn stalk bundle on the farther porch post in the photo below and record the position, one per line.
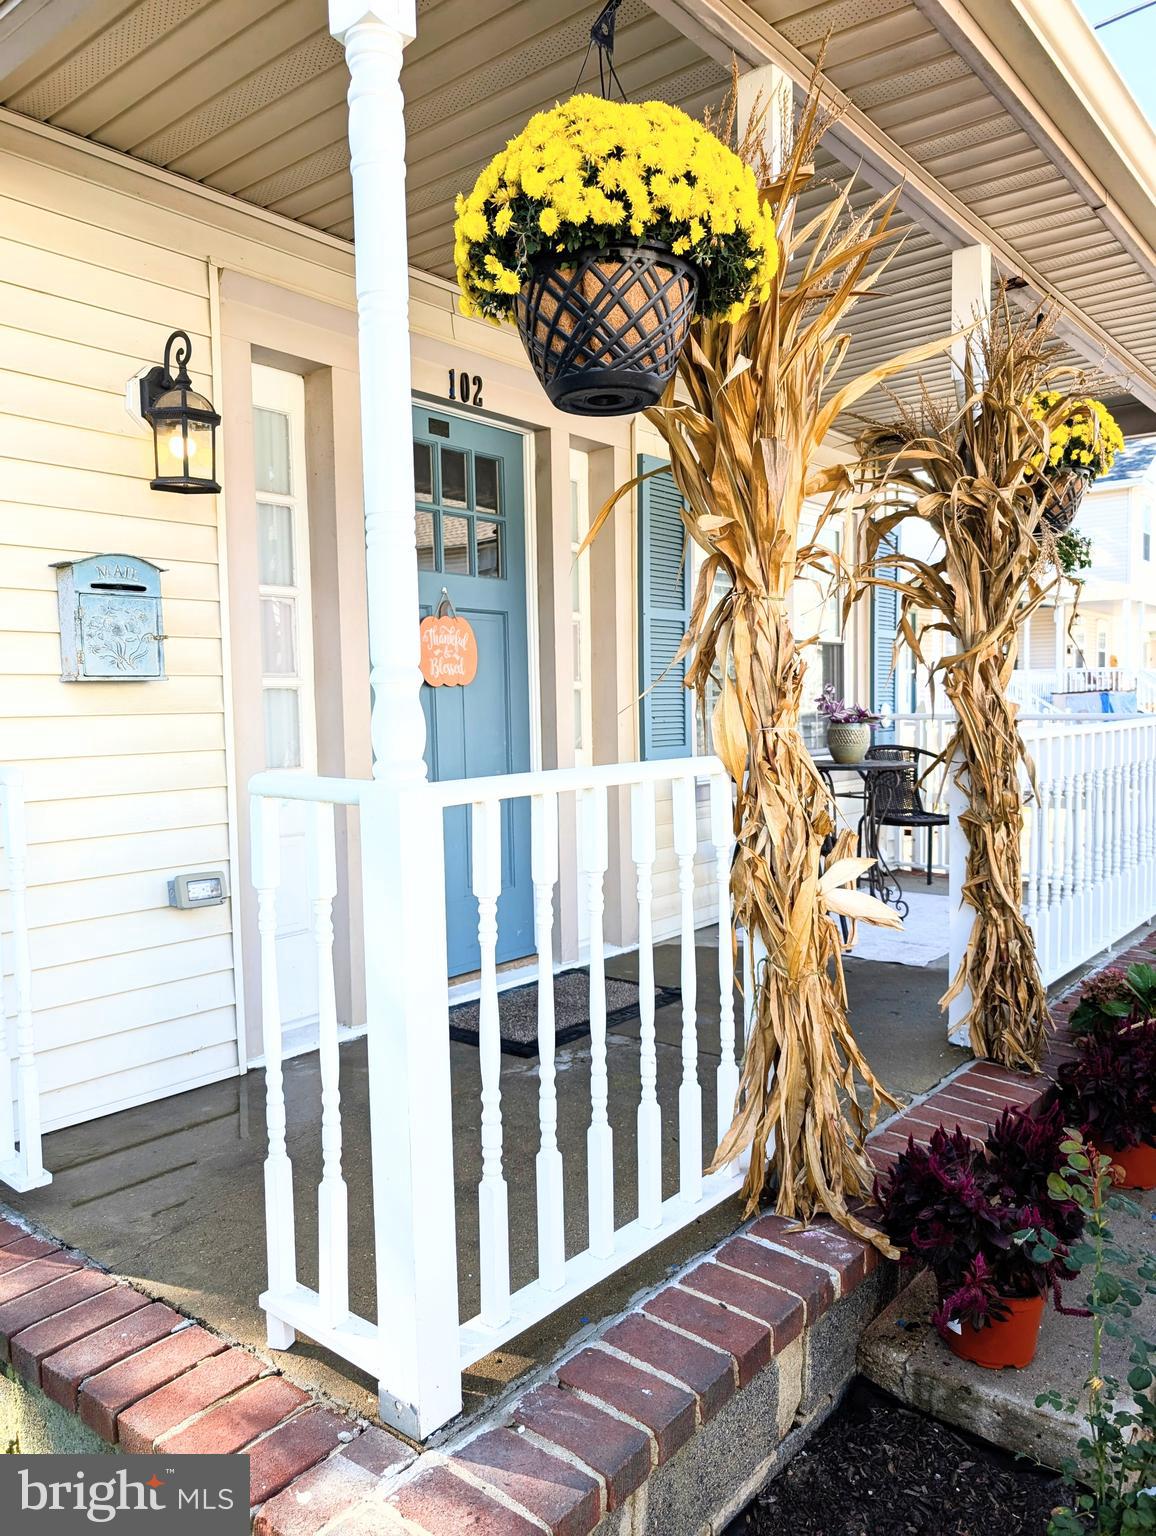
(969, 471)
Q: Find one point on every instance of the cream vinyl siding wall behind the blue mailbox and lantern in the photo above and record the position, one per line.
(127, 783)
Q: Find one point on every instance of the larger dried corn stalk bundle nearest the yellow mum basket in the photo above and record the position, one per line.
(753, 405)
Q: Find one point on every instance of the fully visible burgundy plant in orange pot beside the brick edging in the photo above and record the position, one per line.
(986, 1222)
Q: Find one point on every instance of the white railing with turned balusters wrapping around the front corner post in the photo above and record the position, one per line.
(415, 1346)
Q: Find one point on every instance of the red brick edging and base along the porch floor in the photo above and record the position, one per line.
(666, 1423)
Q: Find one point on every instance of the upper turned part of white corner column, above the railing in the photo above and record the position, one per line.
(375, 36)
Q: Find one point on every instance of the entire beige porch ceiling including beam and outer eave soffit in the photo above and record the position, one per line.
(249, 98)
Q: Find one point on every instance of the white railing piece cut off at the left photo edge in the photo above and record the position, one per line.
(21, 1144)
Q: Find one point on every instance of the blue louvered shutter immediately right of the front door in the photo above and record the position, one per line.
(667, 709)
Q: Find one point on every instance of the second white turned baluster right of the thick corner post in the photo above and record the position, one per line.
(552, 1228)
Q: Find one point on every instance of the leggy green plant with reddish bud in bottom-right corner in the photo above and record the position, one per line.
(1114, 1483)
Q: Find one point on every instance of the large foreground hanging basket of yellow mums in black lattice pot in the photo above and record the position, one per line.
(601, 231)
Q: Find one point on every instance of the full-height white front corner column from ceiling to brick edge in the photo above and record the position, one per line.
(401, 827)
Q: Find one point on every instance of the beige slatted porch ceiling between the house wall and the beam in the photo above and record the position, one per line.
(249, 96)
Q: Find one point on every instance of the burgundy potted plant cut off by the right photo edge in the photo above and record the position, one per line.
(1109, 1091)
